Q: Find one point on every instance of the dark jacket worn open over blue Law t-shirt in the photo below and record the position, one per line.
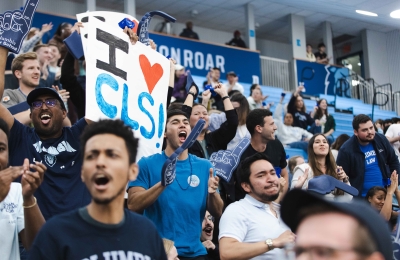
(352, 159)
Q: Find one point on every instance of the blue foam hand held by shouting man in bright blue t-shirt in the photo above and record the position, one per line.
(168, 171)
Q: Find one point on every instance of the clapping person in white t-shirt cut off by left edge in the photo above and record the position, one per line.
(20, 216)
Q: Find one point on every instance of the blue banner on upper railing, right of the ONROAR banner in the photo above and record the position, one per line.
(319, 78)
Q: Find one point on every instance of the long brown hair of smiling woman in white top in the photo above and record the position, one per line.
(329, 162)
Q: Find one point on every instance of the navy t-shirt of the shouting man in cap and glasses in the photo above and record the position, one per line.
(62, 189)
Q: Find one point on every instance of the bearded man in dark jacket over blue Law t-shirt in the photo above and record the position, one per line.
(367, 157)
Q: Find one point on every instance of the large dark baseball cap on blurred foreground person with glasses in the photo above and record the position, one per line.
(297, 199)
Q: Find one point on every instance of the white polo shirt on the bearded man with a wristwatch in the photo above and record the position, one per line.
(250, 221)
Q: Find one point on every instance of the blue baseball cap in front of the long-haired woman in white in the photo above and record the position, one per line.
(325, 184)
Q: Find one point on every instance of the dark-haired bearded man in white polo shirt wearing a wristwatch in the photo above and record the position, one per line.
(252, 228)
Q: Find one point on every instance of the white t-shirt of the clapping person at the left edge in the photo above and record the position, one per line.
(11, 222)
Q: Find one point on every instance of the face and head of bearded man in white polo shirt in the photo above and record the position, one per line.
(264, 183)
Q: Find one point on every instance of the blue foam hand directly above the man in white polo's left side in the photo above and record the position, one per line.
(226, 161)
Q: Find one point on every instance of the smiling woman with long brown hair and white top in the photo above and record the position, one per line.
(320, 161)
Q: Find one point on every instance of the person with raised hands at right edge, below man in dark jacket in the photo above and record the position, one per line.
(381, 199)
